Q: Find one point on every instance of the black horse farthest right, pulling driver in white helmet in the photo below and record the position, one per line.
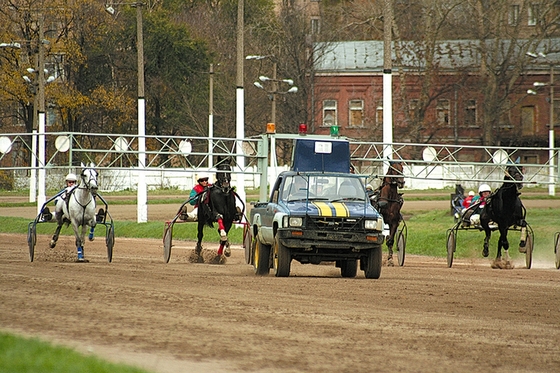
(505, 209)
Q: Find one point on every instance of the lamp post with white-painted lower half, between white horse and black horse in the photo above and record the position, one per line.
(142, 193)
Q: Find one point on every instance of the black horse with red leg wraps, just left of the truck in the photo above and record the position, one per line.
(217, 205)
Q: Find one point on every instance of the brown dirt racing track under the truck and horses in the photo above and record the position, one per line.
(180, 317)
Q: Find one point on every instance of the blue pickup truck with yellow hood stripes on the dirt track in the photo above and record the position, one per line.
(317, 212)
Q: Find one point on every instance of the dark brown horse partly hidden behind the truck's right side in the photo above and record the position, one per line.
(388, 201)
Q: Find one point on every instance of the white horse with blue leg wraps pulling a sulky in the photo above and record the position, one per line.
(78, 209)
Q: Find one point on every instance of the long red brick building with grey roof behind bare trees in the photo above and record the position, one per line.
(347, 91)
